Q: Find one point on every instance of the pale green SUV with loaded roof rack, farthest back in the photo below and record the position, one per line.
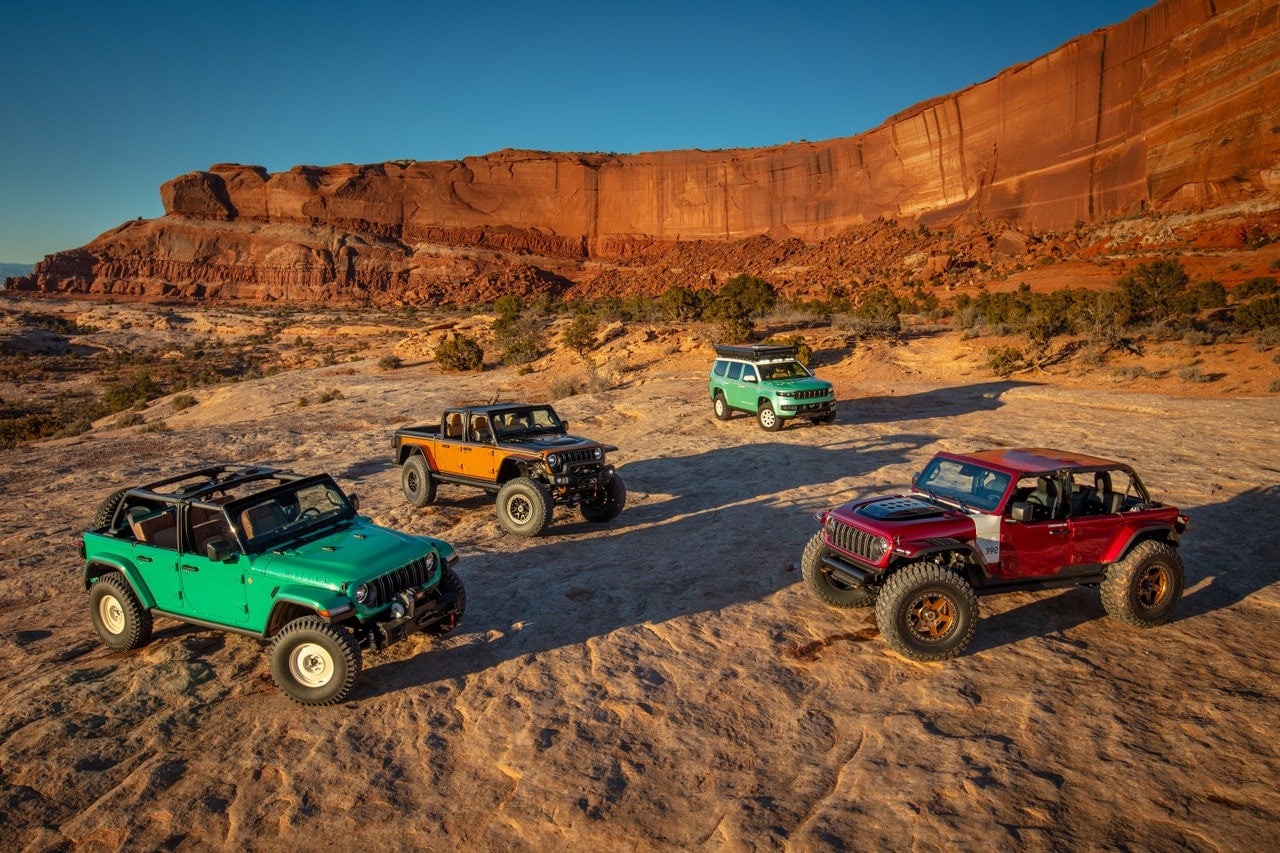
(771, 384)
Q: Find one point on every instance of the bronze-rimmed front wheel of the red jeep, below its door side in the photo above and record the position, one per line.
(927, 613)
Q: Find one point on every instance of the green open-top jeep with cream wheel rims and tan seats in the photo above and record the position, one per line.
(271, 554)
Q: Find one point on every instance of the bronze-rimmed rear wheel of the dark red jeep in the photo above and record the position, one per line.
(1144, 589)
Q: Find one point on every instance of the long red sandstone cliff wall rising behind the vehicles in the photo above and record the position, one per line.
(1177, 108)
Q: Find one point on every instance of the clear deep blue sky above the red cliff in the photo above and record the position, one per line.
(100, 103)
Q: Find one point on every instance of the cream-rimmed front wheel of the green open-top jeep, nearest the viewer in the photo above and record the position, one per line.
(316, 663)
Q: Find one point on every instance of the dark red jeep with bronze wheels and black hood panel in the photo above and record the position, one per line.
(998, 522)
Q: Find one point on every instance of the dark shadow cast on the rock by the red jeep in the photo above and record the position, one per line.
(1219, 573)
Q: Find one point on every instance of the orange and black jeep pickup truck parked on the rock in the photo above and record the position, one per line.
(522, 453)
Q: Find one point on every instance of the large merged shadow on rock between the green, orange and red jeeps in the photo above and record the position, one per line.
(732, 533)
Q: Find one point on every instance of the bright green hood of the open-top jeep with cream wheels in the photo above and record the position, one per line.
(353, 554)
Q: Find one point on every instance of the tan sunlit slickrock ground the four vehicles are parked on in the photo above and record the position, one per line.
(662, 682)
